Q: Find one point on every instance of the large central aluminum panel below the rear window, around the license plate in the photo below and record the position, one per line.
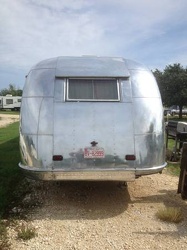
(103, 124)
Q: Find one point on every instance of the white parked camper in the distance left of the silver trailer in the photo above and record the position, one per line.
(10, 102)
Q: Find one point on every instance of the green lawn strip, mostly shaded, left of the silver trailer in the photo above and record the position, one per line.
(10, 174)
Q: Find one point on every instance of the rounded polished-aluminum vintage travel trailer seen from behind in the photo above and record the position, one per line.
(91, 118)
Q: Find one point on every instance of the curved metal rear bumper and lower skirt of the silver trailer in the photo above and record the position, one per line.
(88, 175)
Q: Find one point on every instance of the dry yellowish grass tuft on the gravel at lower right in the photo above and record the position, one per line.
(170, 214)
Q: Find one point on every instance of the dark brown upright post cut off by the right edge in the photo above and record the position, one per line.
(182, 185)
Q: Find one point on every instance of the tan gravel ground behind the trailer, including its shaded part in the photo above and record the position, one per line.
(104, 215)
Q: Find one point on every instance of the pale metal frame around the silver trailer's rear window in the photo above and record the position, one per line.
(93, 100)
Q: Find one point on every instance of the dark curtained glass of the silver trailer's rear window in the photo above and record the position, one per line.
(93, 89)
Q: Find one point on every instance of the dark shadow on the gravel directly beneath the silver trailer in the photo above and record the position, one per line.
(81, 200)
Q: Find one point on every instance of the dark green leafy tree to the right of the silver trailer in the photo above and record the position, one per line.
(172, 83)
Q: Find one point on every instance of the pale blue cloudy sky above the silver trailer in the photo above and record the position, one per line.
(151, 32)
